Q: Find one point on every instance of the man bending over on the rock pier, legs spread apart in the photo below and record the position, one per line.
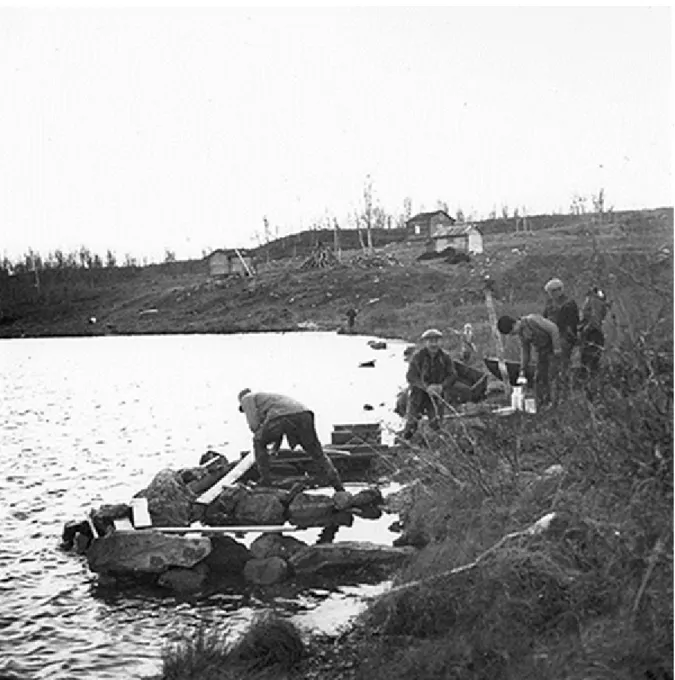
(271, 416)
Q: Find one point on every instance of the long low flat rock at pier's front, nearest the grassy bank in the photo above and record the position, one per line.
(346, 555)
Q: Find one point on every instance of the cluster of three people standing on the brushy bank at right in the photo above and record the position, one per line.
(554, 335)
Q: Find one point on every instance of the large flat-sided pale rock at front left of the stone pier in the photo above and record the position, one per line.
(145, 551)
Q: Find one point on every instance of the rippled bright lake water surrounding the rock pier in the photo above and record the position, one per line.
(87, 421)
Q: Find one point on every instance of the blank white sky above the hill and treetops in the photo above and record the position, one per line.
(145, 129)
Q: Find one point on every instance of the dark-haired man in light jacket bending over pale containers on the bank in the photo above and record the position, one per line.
(535, 330)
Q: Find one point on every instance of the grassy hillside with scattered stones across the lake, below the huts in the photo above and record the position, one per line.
(394, 293)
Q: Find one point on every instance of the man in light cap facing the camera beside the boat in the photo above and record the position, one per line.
(431, 372)
